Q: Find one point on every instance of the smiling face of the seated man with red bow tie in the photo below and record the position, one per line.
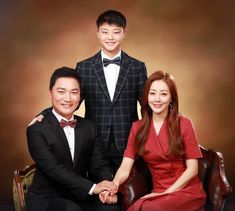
(65, 96)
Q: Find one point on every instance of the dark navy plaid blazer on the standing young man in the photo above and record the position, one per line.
(122, 111)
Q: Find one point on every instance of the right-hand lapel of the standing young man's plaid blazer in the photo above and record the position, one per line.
(124, 70)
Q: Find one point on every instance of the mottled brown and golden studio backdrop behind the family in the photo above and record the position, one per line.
(192, 39)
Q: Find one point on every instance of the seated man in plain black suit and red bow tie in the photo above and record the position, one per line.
(68, 154)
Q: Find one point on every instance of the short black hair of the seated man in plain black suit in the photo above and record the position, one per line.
(63, 72)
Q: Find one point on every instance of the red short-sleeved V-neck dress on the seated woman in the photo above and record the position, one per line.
(167, 169)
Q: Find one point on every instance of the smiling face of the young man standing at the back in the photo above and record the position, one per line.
(110, 37)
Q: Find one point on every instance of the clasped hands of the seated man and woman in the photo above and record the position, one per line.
(107, 191)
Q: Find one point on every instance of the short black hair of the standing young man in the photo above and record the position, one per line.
(111, 17)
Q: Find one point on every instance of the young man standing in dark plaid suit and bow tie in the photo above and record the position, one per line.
(111, 84)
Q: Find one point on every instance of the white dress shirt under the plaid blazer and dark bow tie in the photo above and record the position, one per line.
(111, 73)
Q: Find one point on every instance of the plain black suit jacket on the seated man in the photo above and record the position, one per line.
(56, 174)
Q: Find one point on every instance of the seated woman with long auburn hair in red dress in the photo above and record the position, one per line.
(168, 143)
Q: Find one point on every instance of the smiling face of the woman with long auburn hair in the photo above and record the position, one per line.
(159, 97)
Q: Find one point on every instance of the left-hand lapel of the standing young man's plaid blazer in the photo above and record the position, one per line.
(98, 69)
